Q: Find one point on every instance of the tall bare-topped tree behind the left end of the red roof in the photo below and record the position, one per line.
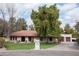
(11, 11)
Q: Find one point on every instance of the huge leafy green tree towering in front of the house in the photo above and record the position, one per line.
(46, 21)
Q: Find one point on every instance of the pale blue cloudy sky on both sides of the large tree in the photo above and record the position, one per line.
(68, 13)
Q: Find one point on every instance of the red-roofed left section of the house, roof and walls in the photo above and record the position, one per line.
(23, 36)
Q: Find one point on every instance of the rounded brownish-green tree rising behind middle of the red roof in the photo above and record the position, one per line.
(21, 24)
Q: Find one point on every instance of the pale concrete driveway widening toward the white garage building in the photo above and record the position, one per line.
(66, 47)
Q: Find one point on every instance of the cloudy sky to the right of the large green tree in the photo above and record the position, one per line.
(68, 14)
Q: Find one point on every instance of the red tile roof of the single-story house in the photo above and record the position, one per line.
(24, 33)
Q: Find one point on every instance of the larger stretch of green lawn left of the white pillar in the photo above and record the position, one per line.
(20, 46)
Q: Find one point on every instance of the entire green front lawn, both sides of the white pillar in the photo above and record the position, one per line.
(25, 46)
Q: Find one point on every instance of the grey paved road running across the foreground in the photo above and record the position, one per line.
(40, 53)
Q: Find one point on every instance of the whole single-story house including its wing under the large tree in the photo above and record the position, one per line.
(28, 36)
